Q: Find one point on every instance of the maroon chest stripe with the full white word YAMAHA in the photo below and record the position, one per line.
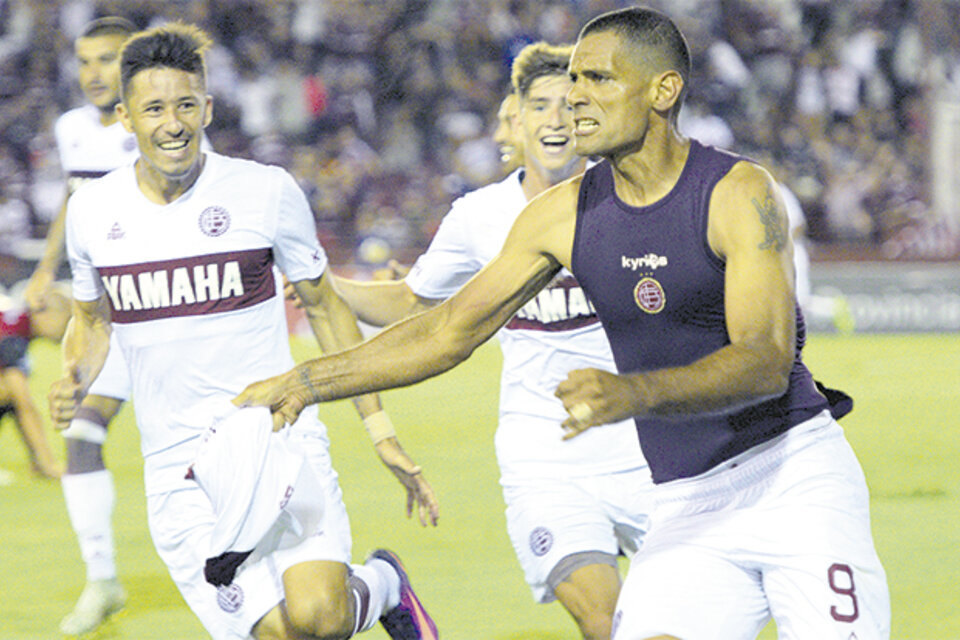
(191, 286)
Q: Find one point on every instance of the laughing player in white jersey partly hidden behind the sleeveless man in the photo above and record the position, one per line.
(567, 513)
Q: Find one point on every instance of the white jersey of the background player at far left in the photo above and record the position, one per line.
(88, 149)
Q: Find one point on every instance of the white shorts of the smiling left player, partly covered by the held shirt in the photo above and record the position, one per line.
(181, 523)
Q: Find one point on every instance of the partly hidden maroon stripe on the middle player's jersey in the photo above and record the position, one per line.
(562, 306)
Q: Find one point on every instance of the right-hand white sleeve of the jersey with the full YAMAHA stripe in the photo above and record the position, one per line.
(297, 250)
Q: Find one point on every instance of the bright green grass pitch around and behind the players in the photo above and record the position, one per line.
(905, 429)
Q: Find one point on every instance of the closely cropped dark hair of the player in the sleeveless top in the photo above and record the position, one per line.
(647, 29)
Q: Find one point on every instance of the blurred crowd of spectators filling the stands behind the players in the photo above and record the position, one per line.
(383, 109)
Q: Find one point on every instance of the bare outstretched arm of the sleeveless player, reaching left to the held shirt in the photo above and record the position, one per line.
(431, 342)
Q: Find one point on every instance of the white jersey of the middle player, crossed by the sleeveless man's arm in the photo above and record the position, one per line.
(554, 333)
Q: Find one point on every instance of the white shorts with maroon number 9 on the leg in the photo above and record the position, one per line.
(781, 530)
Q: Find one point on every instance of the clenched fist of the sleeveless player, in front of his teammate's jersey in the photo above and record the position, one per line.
(593, 397)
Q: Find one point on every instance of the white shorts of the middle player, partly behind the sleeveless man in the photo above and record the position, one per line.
(550, 519)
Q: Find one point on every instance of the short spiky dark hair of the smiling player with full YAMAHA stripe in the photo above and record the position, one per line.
(176, 45)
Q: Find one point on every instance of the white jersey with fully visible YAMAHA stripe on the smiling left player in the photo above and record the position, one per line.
(195, 290)
